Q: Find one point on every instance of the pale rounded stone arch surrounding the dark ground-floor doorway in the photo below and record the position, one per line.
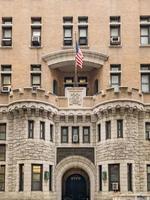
(82, 165)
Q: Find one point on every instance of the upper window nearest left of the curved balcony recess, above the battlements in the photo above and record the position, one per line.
(35, 76)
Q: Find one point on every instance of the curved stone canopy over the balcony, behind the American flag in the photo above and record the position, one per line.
(64, 58)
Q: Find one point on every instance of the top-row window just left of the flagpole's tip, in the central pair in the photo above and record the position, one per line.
(67, 27)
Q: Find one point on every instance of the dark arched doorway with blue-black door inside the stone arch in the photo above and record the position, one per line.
(75, 185)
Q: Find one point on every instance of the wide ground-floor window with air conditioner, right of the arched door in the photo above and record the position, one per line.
(114, 177)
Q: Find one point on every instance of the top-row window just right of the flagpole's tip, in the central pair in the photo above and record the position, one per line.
(83, 30)
